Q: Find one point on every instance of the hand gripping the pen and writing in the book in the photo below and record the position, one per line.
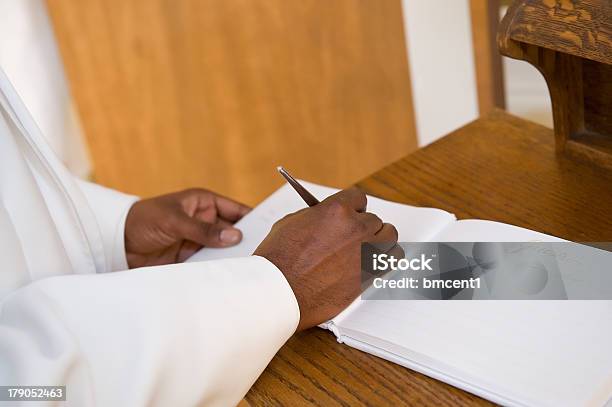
(318, 249)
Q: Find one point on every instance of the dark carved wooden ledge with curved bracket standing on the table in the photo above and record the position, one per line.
(570, 43)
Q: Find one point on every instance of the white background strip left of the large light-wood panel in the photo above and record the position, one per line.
(30, 58)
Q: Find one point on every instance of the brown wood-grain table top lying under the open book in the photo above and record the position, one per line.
(500, 168)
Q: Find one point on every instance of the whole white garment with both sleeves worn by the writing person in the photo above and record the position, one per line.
(177, 335)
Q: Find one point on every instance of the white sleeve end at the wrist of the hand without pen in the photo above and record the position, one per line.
(110, 208)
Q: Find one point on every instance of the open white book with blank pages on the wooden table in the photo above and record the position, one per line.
(536, 353)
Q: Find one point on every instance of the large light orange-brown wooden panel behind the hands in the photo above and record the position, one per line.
(217, 93)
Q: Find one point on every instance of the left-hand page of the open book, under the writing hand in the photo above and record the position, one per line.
(413, 223)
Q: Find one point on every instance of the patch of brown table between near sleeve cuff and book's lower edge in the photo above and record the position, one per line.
(313, 369)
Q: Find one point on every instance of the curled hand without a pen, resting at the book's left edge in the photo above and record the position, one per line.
(170, 228)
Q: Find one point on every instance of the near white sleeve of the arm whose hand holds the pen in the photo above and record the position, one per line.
(178, 335)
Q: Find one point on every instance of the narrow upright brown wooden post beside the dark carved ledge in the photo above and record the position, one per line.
(484, 16)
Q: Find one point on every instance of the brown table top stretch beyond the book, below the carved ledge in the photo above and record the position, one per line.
(505, 169)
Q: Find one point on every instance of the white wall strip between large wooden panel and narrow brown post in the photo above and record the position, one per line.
(441, 60)
